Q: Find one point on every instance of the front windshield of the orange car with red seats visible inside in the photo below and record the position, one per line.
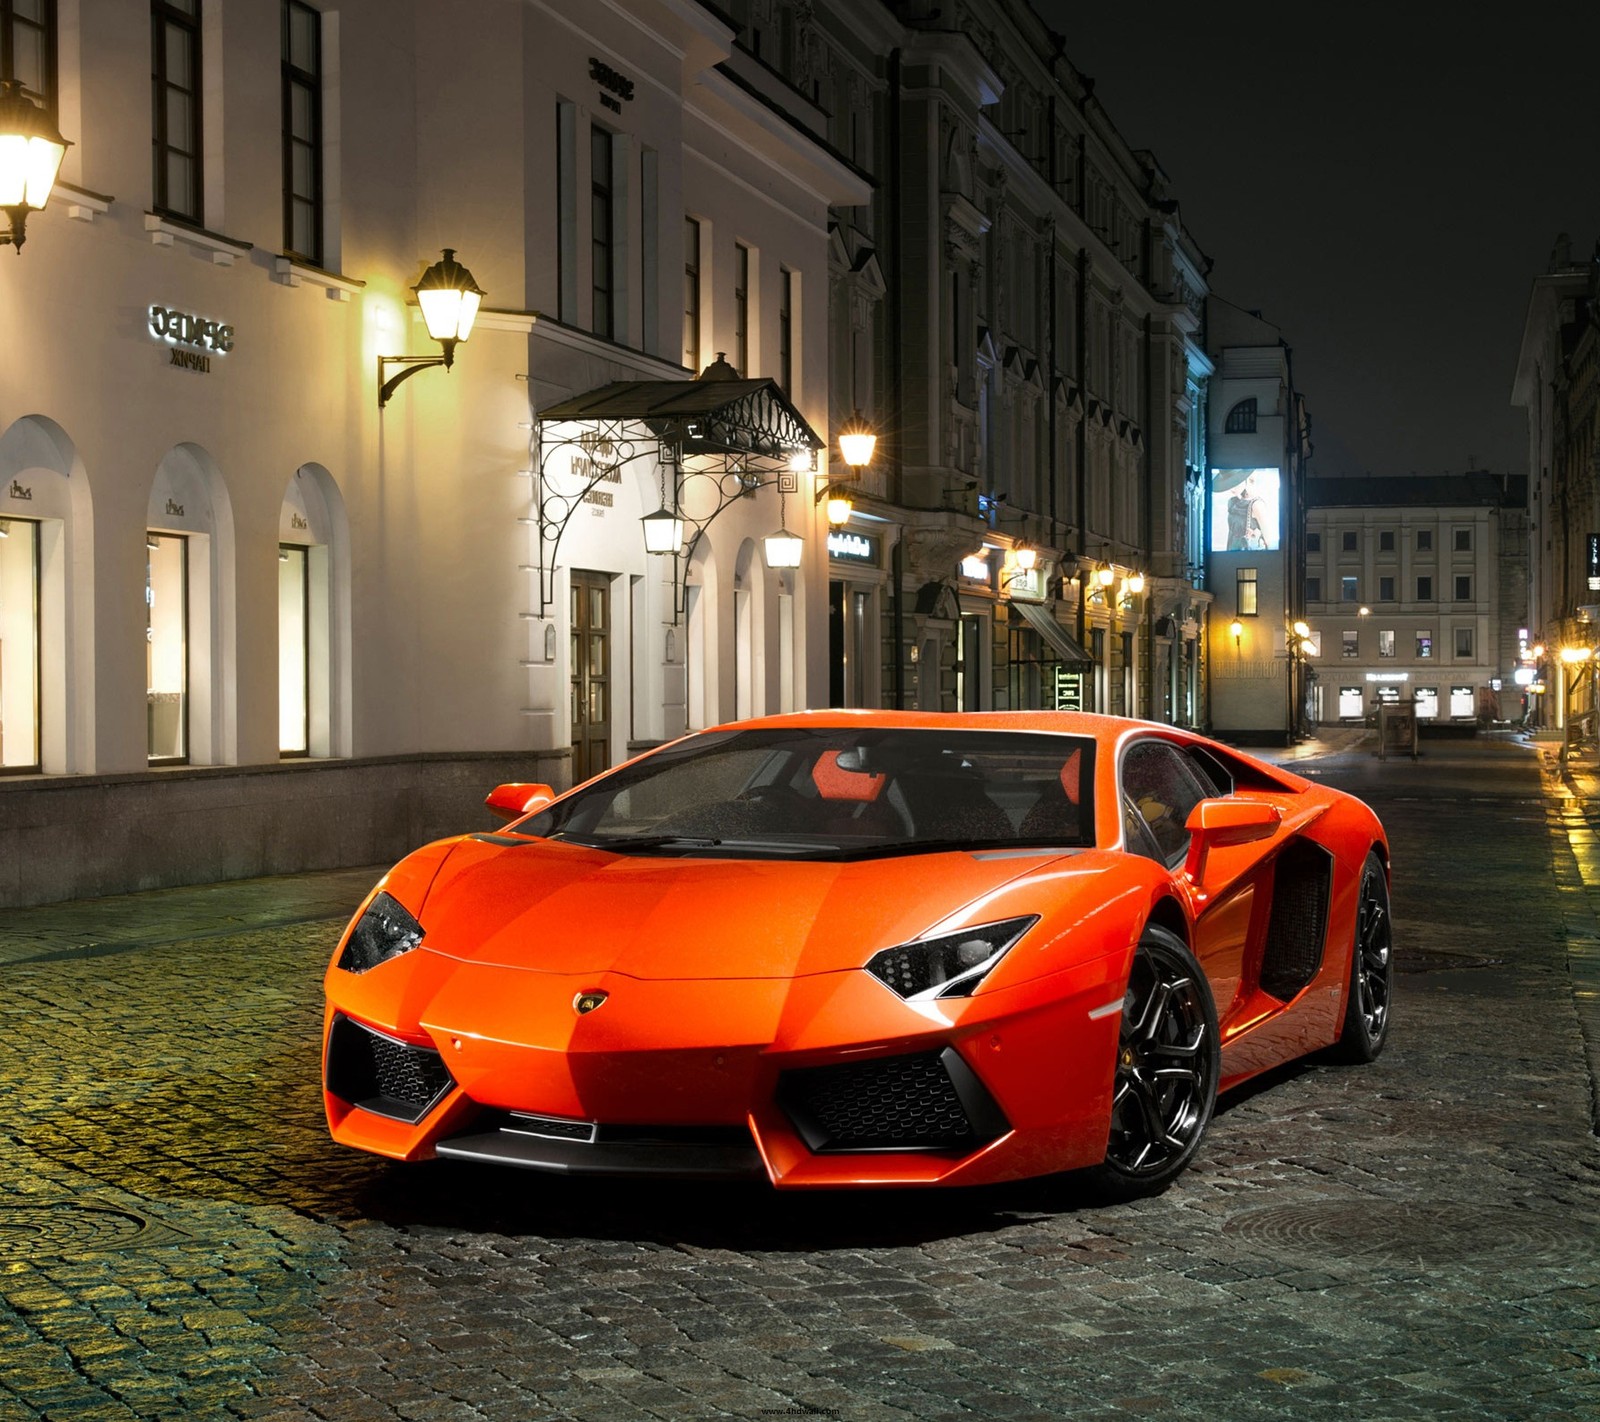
(836, 793)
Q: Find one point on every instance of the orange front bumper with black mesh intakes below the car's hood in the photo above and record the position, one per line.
(815, 1082)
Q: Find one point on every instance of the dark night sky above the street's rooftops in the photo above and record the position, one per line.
(1383, 185)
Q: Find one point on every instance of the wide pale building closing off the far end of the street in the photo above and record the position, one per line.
(1417, 593)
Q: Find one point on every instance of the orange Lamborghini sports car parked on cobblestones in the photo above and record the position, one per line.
(844, 949)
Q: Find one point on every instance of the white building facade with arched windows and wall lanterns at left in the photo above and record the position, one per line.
(252, 621)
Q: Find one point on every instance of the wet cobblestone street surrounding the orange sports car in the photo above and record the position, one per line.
(1417, 1239)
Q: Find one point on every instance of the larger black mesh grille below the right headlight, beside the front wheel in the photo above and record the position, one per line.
(930, 1101)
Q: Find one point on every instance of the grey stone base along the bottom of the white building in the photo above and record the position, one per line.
(76, 837)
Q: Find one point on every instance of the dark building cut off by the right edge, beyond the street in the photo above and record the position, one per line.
(1559, 386)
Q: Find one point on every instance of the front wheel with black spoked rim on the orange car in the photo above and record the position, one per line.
(1169, 1066)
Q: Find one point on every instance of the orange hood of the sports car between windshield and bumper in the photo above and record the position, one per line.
(559, 908)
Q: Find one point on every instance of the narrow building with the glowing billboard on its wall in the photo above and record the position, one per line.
(1260, 441)
